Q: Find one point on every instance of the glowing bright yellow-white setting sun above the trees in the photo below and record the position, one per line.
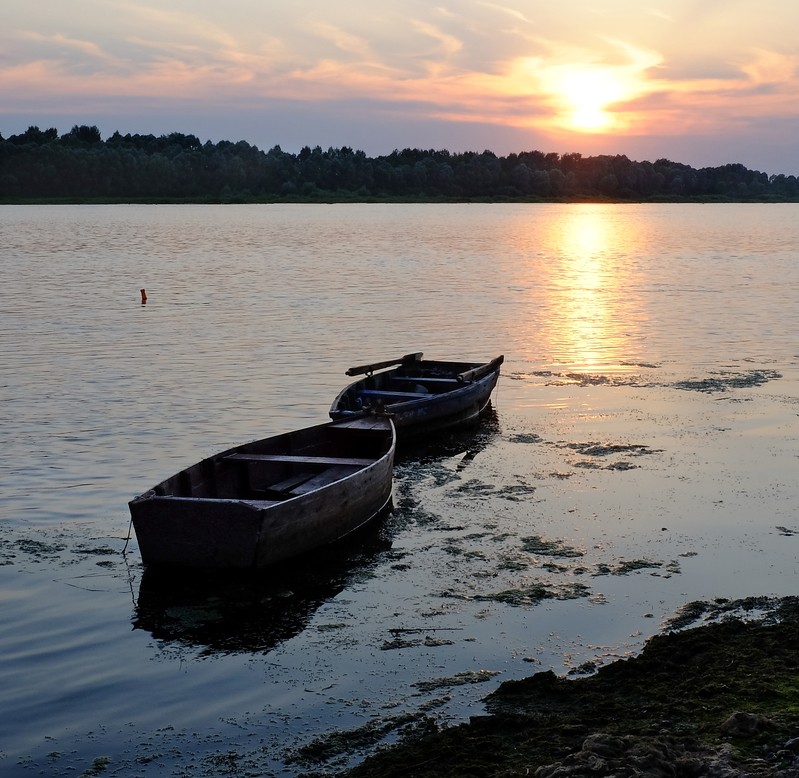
(586, 95)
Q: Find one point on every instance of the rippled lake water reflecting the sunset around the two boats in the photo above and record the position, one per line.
(641, 454)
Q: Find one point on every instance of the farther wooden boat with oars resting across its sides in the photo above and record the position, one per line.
(422, 396)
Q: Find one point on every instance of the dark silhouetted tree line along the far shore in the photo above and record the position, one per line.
(80, 165)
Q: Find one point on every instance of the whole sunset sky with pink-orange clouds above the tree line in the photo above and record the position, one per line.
(702, 82)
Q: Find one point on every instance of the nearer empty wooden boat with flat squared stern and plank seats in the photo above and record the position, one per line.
(269, 500)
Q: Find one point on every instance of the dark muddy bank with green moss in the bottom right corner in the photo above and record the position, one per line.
(720, 699)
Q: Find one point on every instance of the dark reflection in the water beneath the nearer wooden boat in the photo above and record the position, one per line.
(250, 611)
